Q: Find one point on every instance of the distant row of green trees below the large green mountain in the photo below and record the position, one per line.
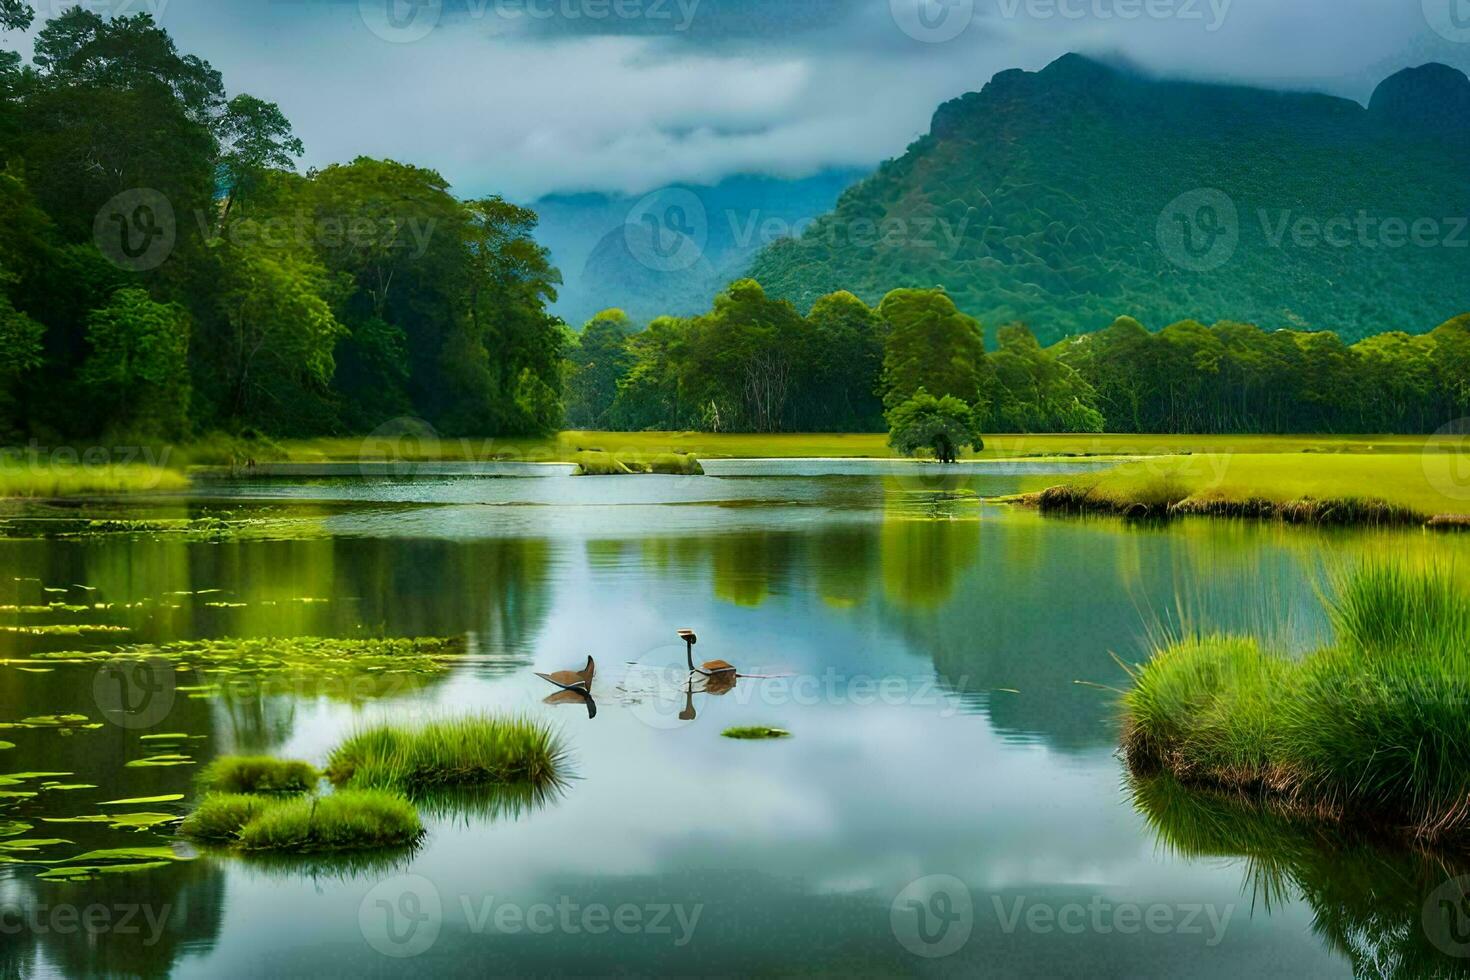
(753, 364)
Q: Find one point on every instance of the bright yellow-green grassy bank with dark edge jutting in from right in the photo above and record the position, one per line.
(1415, 487)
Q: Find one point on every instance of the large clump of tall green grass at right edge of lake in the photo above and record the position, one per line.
(1371, 729)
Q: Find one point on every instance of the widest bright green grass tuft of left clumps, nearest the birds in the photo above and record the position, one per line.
(470, 752)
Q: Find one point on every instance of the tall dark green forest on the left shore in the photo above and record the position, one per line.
(167, 273)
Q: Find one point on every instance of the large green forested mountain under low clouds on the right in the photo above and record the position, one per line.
(1081, 193)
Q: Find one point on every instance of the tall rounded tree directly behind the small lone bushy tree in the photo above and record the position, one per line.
(931, 346)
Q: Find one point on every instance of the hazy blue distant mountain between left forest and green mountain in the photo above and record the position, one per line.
(700, 239)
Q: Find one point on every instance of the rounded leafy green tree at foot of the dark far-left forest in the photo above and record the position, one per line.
(137, 371)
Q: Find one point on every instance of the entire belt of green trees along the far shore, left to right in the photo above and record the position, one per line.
(167, 273)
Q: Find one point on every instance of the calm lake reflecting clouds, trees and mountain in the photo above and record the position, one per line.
(950, 801)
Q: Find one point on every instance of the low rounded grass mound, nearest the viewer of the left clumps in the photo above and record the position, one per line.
(352, 819)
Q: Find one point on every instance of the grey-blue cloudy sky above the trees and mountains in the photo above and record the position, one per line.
(527, 98)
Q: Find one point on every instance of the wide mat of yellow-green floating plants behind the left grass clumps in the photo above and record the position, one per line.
(336, 666)
